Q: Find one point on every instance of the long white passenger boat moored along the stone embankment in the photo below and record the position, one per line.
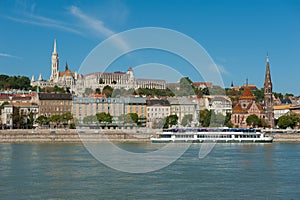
(211, 135)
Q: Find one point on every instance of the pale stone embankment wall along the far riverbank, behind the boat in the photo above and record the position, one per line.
(95, 135)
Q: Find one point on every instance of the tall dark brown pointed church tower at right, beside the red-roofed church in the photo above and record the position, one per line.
(268, 96)
